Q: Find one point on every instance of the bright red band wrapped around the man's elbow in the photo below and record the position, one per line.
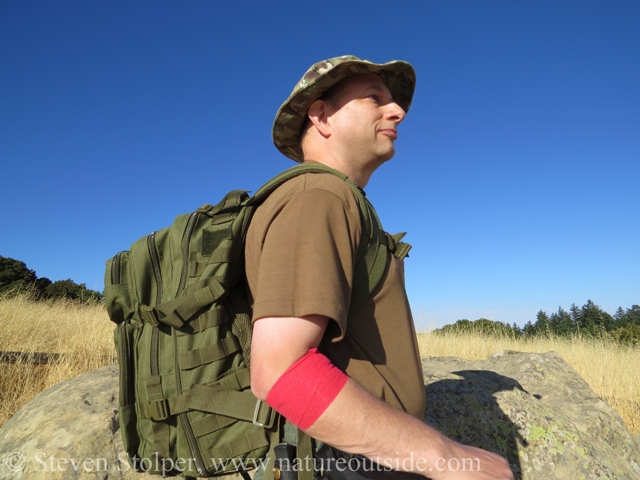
(306, 389)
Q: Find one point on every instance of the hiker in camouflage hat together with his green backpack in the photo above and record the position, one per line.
(332, 347)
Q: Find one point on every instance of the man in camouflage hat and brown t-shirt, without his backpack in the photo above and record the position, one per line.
(351, 380)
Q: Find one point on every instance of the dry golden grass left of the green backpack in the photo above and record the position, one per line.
(81, 333)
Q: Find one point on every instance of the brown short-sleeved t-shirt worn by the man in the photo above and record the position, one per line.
(300, 254)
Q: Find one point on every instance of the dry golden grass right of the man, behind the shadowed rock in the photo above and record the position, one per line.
(609, 369)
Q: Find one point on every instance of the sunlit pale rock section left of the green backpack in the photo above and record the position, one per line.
(68, 431)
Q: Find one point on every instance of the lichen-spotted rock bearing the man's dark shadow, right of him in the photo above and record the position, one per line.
(535, 410)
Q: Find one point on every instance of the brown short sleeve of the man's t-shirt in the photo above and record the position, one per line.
(306, 257)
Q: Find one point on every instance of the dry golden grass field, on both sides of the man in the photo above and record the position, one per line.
(83, 335)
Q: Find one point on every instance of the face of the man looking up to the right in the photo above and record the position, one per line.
(364, 119)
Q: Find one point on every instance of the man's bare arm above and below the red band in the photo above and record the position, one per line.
(356, 421)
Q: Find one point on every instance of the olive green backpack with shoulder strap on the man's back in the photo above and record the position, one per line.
(183, 336)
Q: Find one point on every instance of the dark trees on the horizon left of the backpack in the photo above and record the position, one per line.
(16, 277)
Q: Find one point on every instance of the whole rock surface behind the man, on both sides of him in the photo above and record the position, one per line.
(533, 409)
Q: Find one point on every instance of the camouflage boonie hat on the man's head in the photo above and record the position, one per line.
(398, 76)
